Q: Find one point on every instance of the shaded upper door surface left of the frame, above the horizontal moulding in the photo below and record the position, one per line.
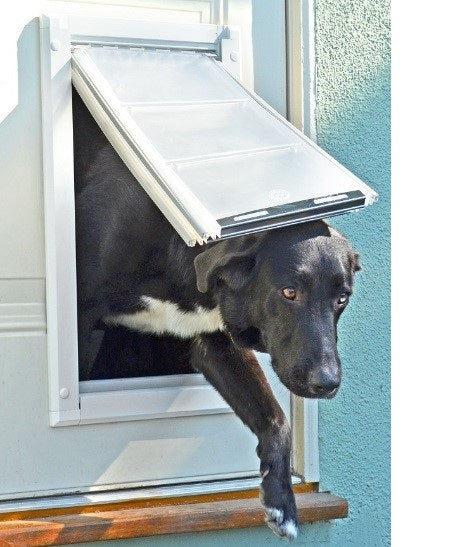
(20, 166)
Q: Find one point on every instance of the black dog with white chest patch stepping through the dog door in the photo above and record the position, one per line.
(280, 292)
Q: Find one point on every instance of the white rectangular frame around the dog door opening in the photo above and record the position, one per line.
(70, 402)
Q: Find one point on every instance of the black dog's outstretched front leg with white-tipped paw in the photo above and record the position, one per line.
(238, 377)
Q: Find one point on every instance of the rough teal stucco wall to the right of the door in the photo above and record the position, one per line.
(353, 119)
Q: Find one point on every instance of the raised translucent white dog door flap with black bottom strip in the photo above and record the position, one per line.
(216, 159)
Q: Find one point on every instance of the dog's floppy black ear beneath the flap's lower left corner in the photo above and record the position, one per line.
(229, 262)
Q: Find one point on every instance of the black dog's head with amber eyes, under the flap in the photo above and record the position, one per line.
(282, 292)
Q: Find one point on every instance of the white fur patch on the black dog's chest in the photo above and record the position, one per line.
(164, 317)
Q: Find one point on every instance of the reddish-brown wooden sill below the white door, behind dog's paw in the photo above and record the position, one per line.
(156, 516)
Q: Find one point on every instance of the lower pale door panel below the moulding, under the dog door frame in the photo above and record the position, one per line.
(37, 458)
